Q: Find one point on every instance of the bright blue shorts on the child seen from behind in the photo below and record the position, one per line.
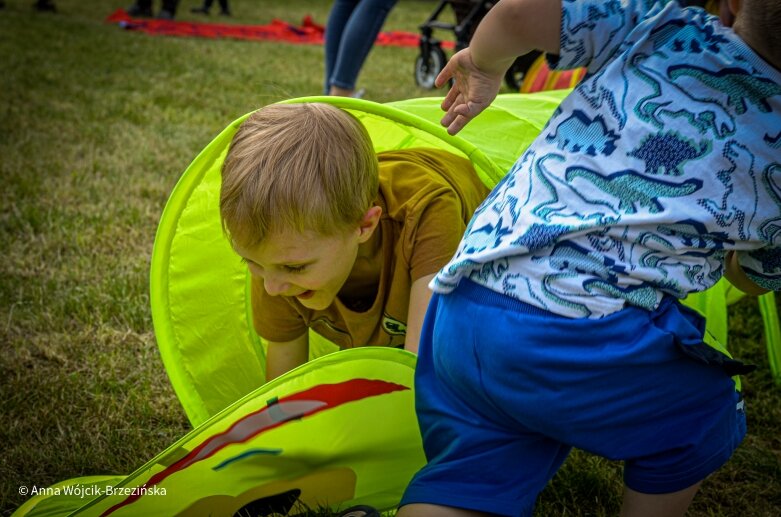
(504, 390)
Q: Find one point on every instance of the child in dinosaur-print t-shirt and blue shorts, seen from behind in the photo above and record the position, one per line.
(557, 323)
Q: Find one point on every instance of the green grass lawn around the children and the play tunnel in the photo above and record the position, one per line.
(96, 125)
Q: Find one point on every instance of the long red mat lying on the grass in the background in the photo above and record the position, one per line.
(308, 32)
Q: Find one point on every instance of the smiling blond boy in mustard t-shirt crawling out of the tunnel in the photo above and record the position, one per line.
(338, 238)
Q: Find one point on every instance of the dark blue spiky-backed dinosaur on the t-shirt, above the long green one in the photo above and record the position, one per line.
(666, 153)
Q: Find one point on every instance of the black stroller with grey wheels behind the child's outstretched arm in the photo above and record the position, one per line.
(468, 14)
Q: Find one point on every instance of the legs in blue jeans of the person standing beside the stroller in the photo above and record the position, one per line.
(353, 26)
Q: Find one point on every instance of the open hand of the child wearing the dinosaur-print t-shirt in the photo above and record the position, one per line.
(472, 91)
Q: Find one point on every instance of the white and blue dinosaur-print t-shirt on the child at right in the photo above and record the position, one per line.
(666, 156)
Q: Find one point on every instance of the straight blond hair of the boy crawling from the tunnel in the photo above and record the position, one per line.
(301, 167)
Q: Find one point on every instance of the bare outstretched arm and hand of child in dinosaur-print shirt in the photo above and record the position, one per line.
(510, 29)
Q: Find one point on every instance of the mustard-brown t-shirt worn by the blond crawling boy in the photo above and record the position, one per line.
(427, 198)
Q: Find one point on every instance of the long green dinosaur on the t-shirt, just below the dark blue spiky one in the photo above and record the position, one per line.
(634, 190)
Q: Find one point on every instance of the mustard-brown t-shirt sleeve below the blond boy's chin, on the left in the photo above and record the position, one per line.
(274, 318)
